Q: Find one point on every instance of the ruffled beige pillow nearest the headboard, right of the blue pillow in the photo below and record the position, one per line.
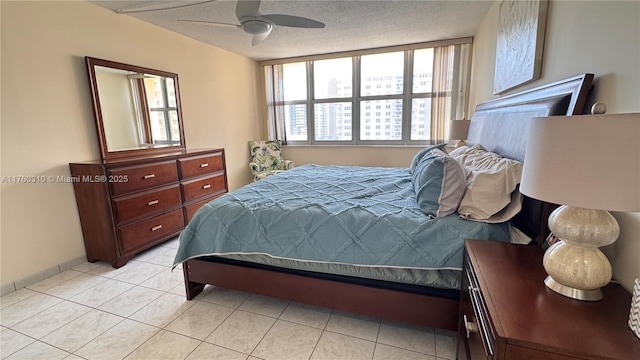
(492, 181)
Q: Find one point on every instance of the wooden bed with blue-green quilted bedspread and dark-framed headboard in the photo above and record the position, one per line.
(397, 267)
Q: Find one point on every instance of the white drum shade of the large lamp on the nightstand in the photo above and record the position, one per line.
(590, 161)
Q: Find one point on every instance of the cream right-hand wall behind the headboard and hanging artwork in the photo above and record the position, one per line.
(599, 37)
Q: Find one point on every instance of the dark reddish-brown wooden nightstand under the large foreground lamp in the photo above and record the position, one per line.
(506, 311)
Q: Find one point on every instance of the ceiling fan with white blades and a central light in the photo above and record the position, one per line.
(259, 25)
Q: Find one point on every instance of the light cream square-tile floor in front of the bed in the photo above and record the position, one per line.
(139, 311)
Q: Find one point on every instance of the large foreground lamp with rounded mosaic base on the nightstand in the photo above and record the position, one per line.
(590, 165)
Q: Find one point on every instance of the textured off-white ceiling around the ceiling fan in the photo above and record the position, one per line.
(350, 25)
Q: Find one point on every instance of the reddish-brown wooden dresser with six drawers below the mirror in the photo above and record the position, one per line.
(127, 206)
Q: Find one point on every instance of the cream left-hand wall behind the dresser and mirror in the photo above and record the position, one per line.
(47, 119)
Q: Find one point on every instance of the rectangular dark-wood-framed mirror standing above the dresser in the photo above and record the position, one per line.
(137, 109)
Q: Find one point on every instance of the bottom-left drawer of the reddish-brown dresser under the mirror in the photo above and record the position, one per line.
(140, 233)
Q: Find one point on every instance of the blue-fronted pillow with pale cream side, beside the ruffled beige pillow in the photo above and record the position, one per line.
(439, 183)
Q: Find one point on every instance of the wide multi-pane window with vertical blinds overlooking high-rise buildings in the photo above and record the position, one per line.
(413, 92)
